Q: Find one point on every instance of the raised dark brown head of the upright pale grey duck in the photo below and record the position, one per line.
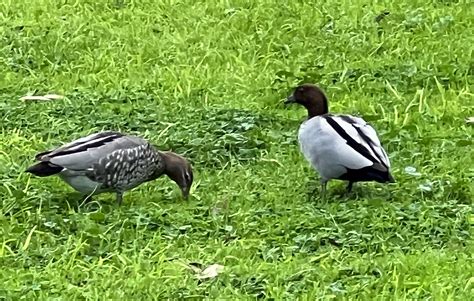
(311, 97)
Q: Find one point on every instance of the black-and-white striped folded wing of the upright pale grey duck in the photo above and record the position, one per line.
(361, 137)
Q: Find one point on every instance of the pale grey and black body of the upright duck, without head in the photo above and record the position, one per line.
(347, 149)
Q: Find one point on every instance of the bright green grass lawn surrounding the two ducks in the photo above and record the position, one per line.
(205, 79)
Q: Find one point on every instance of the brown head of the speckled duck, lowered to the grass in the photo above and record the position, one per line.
(180, 171)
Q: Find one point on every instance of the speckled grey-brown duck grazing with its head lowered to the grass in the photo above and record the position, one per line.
(112, 162)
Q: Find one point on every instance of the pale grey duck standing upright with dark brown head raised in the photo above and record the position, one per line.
(340, 147)
